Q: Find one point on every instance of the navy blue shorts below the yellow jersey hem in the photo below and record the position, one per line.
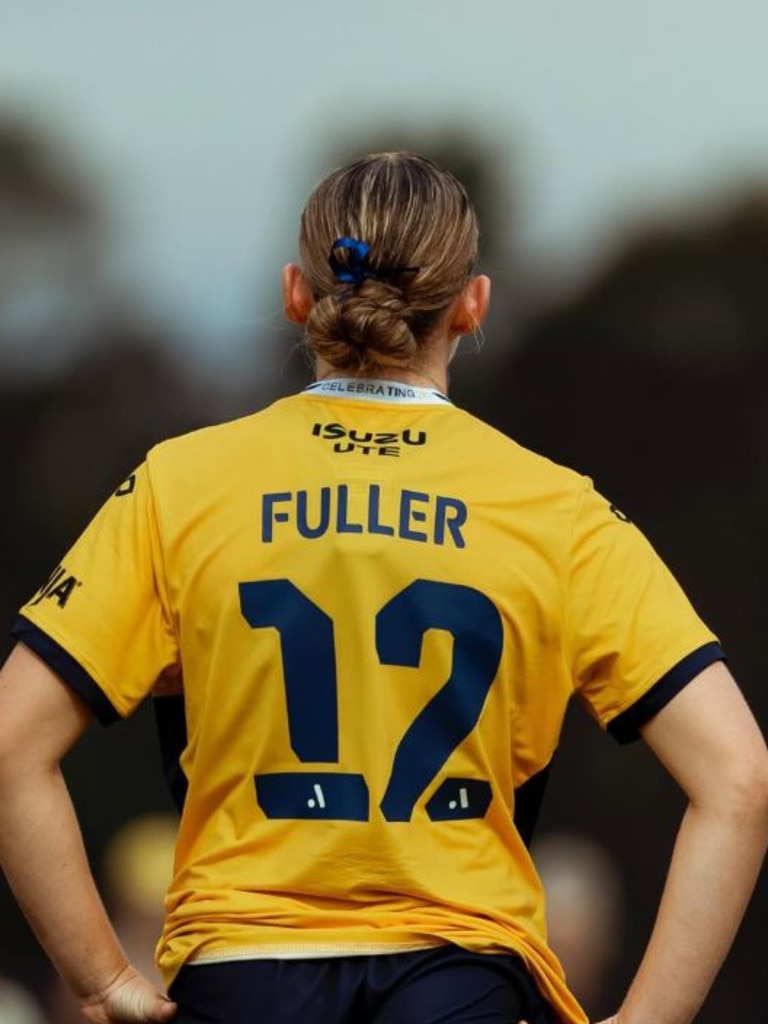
(445, 986)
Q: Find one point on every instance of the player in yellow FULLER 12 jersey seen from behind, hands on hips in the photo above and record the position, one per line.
(363, 613)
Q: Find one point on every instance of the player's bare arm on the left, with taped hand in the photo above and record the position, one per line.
(41, 848)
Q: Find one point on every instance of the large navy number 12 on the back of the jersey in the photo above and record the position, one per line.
(307, 636)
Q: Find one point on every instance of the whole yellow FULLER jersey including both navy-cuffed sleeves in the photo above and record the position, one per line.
(363, 613)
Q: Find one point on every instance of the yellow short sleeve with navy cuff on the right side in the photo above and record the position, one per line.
(633, 639)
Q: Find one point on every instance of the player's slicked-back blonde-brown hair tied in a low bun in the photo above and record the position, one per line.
(422, 232)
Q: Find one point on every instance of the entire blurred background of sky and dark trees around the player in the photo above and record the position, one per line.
(154, 161)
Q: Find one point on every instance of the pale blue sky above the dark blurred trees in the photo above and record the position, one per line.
(203, 122)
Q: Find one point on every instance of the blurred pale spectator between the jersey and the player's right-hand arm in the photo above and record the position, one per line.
(585, 914)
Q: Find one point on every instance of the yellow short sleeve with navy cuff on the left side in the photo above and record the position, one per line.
(102, 620)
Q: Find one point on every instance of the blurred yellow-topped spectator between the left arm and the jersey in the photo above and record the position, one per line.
(137, 871)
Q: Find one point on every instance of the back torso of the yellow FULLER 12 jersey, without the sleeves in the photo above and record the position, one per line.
(367, 583)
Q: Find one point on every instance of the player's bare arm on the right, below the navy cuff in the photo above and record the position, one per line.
(709, 742)
